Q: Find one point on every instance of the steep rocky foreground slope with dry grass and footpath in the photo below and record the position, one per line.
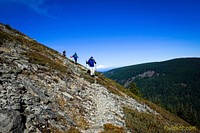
(42, 91)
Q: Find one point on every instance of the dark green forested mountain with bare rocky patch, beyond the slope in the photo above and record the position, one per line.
(173, 84)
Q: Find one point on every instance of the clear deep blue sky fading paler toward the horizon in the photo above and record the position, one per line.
(115, 32)
